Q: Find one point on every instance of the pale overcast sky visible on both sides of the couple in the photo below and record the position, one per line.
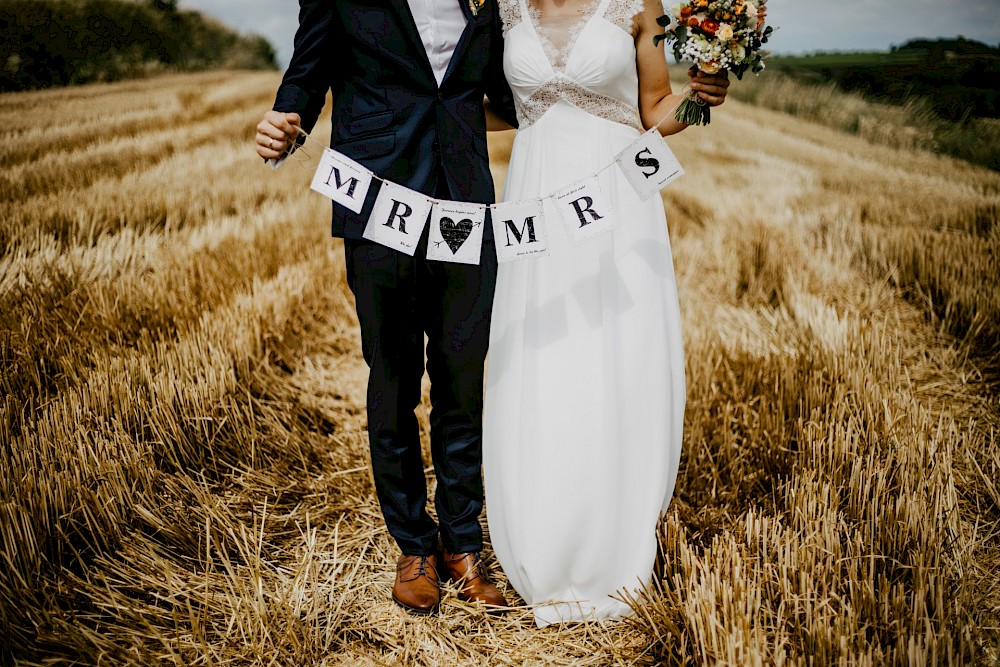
(804, 26)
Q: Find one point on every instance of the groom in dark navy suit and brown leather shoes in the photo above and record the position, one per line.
(408, 79)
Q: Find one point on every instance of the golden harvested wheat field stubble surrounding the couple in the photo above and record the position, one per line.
(184, 477)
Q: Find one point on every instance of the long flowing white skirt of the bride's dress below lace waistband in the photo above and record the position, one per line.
(585, 385)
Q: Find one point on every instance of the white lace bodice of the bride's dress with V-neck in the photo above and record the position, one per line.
(587, 61)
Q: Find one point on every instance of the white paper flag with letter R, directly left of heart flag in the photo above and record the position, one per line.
(398, 218)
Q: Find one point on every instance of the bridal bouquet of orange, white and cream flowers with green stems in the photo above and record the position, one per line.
(716, 35)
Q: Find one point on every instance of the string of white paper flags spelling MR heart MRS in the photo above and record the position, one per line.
(519, 227)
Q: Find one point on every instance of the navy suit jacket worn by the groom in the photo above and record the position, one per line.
(389, 113)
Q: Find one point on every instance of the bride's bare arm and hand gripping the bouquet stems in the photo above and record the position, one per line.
(656, 99)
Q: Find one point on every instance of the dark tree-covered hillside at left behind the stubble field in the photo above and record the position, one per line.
(62, 42)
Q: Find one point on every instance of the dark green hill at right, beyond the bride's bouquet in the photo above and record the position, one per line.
(958, 78)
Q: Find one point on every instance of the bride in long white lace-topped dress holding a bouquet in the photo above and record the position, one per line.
(585, 378)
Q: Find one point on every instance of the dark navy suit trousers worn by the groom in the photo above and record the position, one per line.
(398, 300)
